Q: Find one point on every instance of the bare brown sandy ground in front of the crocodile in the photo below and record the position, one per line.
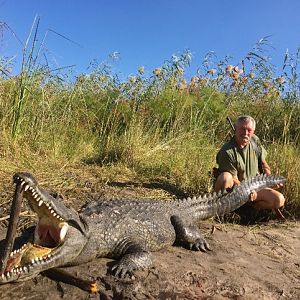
(260, 261)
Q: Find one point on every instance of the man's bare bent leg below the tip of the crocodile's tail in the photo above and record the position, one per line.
(269, 199)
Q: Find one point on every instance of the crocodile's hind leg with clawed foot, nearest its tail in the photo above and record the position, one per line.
(189, 235)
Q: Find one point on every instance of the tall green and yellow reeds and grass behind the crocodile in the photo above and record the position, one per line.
(160, 126)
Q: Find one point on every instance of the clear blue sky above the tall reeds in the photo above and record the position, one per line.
(146, 33)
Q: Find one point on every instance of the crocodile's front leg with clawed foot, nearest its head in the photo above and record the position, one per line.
(133, 257)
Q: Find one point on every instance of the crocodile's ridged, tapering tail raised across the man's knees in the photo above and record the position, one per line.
(215, 204)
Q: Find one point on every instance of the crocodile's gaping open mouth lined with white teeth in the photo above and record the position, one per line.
(49, 234)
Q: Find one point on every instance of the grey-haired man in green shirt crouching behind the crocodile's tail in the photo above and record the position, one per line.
(239, 159)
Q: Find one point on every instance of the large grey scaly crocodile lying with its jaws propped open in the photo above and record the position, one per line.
(125, 230)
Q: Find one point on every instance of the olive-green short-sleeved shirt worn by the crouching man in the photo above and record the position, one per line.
(240, 162)
